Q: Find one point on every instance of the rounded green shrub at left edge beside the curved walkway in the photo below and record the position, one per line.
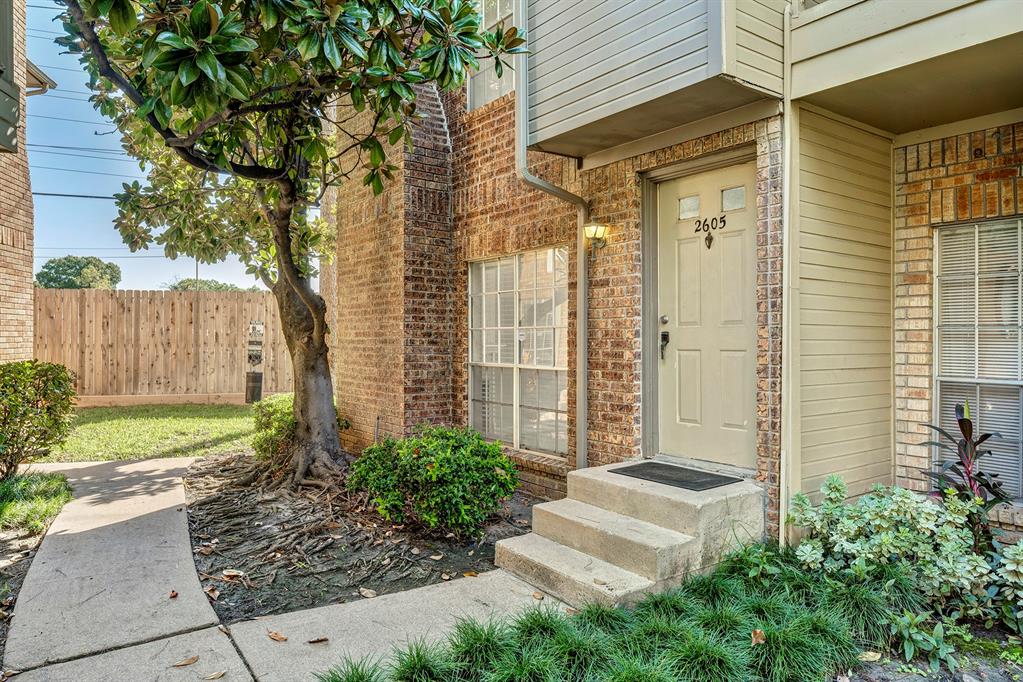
(37, 401)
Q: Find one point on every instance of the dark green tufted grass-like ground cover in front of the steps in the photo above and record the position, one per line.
(729, 626)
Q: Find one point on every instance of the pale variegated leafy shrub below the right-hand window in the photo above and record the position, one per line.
(924, 554)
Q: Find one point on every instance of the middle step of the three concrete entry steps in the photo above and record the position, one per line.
(652, 552)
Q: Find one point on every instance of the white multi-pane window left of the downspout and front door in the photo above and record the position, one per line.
(518, 310)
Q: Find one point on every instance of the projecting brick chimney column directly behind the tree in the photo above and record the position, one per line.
(388, 289)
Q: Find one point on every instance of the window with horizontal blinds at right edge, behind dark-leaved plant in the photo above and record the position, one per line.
(980, 338)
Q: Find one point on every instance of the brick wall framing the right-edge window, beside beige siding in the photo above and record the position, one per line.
(970, 177)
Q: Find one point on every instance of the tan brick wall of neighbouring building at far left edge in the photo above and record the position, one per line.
(16, 230)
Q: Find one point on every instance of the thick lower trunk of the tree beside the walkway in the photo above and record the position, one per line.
(317, 457)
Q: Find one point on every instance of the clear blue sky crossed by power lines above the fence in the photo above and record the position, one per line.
(84, 226)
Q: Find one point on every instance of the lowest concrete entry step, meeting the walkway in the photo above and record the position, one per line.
(573, 577)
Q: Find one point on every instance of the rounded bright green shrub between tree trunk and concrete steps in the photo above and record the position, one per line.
(443, 478)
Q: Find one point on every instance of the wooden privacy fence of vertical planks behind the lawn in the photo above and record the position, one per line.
(160, 347)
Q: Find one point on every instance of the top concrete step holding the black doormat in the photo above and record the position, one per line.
(733, 513)
